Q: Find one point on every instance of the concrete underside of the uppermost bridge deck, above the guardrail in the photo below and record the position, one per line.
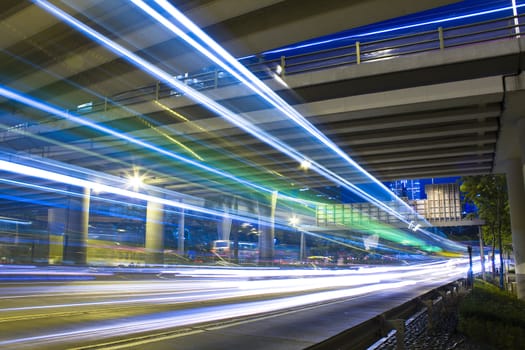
(256, 26)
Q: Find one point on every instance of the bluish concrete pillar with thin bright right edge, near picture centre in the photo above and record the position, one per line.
(267, 230)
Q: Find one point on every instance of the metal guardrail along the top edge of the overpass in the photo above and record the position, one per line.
(356, 53)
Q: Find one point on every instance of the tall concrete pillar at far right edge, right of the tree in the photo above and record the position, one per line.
(515, 184)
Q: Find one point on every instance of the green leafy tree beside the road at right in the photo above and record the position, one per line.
(489, 194)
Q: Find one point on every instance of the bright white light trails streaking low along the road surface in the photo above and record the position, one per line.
(349, 283)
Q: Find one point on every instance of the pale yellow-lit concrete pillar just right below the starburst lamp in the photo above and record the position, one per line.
(154, 234)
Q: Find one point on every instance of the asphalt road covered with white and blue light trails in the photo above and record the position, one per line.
(203, 308)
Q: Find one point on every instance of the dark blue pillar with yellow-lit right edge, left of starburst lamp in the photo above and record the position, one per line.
(76, 229)
